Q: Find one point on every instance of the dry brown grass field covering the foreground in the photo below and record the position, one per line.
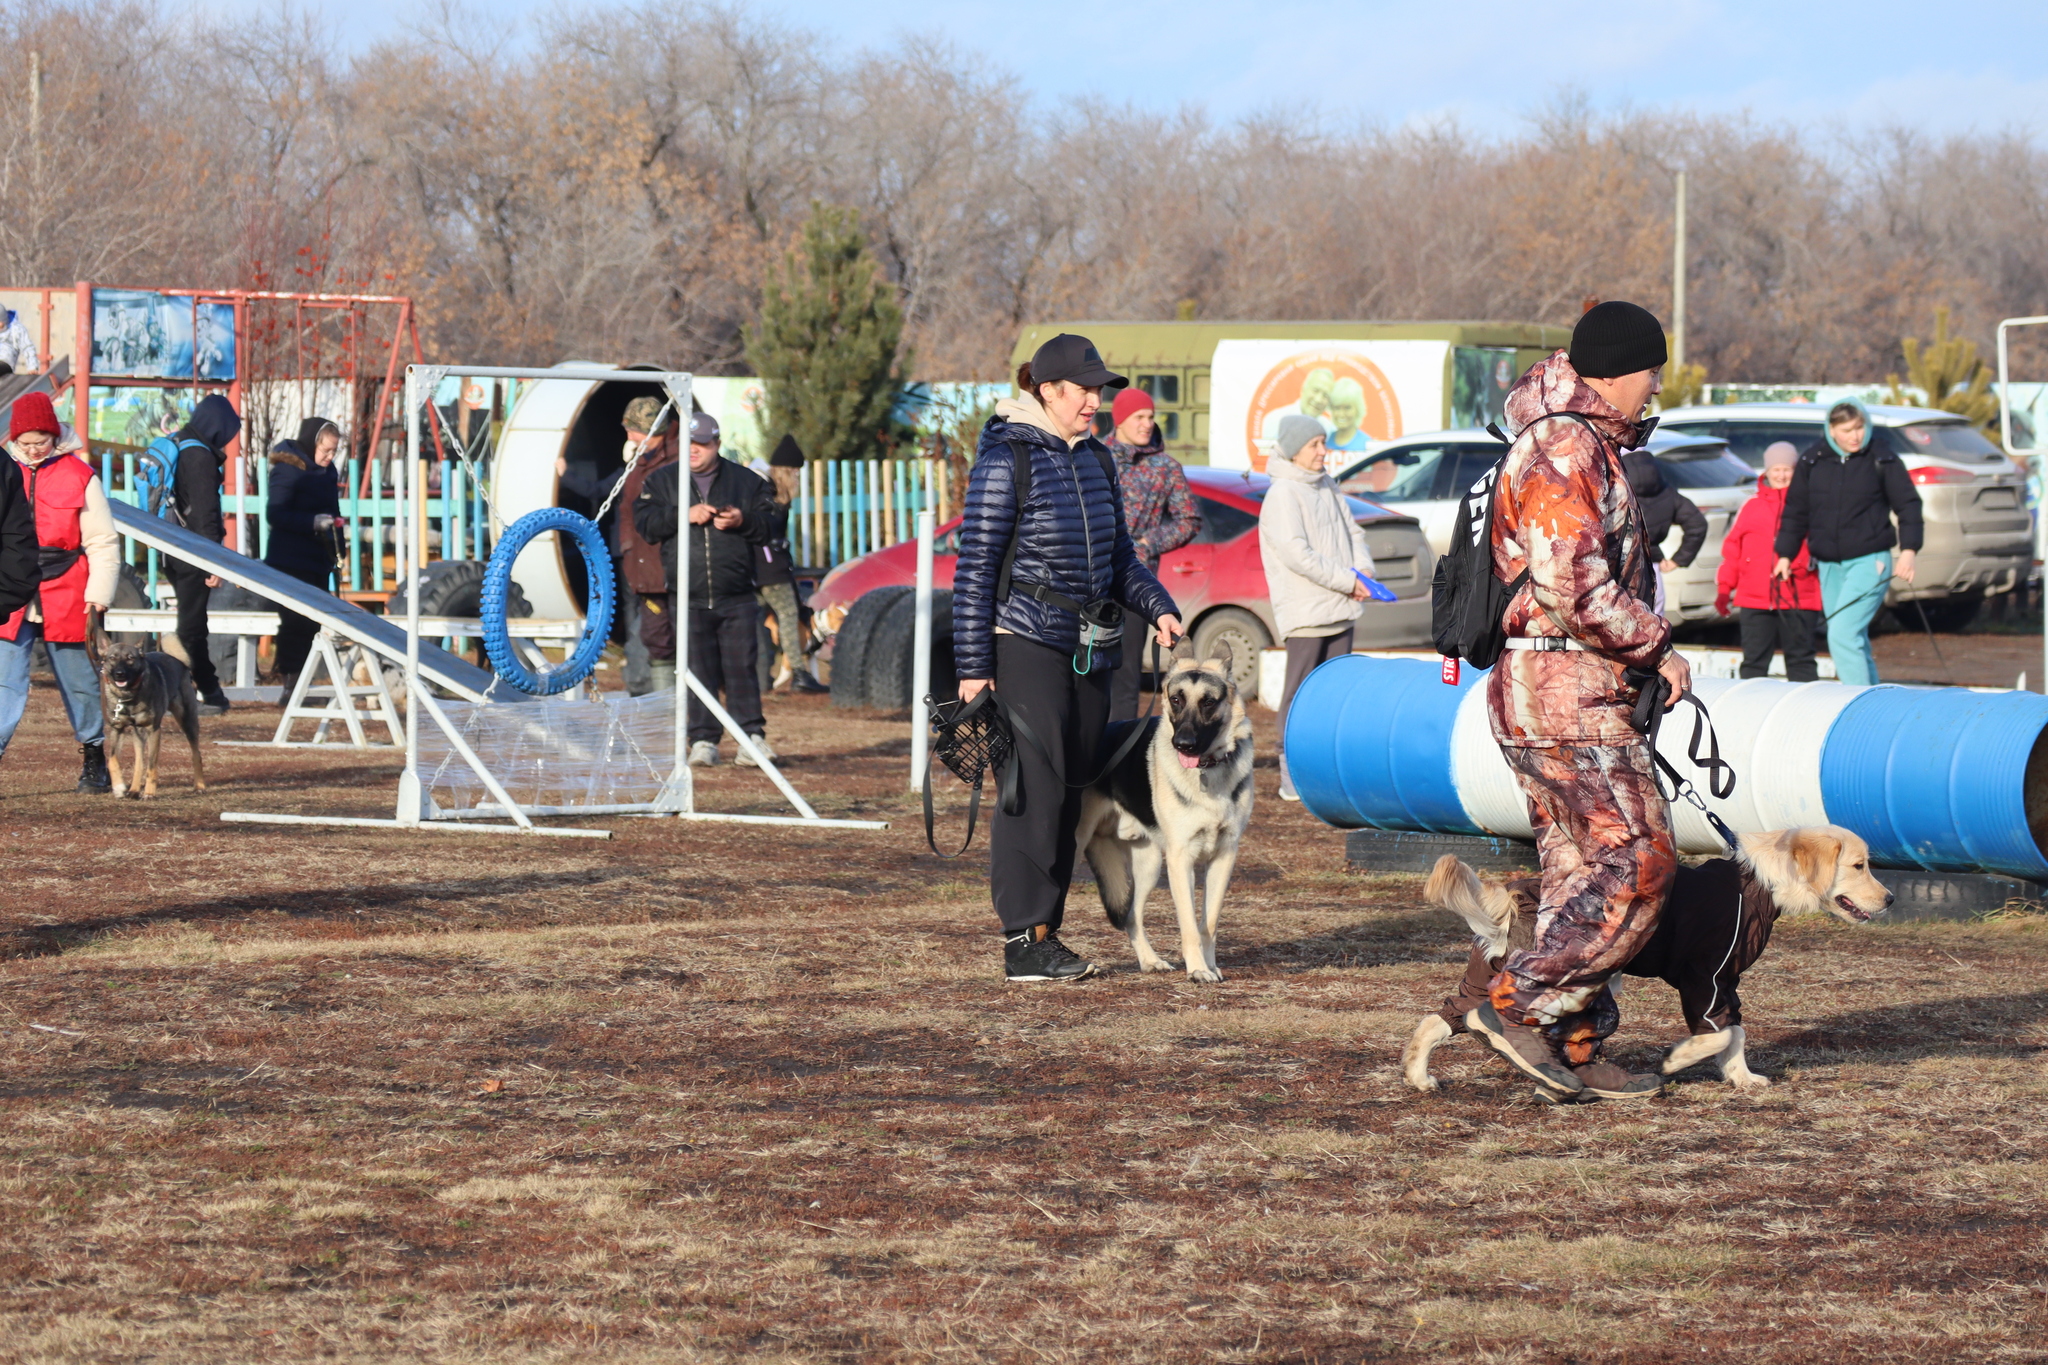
(714, 1094)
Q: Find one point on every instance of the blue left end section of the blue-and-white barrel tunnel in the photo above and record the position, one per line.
(1369, 746)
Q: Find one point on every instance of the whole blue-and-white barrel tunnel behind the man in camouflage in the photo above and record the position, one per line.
(1934, 779)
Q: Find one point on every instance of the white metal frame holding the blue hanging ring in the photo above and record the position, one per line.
(679, 795)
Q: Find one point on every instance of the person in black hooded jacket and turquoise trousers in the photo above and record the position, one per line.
(1846, 490)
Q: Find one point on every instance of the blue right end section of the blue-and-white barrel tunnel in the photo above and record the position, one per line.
(1936, 777)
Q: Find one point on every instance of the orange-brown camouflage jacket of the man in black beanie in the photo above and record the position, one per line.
(1568, 515)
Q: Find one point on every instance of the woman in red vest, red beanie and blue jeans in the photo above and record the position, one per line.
(81, 560)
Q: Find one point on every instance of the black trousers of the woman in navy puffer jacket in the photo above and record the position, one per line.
(1031, 852)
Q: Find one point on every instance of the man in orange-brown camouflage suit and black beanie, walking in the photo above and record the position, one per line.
(1562, 701)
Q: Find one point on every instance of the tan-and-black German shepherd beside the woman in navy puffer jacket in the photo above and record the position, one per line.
(1177, 803)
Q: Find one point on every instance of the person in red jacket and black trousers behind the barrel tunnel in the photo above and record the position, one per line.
(1777, 613)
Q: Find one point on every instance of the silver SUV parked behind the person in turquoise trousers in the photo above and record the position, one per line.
(1979, 535)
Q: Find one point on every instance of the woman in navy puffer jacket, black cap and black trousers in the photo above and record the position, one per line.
(1072, 547)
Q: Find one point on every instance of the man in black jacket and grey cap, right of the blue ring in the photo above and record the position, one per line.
(730, 517)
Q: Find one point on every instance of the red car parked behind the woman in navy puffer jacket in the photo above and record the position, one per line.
(1218, 582)
